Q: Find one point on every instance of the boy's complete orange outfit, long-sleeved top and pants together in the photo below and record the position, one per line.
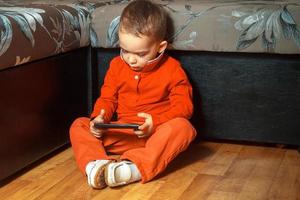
(161, 90)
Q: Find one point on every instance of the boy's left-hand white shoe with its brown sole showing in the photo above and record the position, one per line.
(95, 173)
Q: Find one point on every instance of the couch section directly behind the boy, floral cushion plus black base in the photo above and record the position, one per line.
(242, 58)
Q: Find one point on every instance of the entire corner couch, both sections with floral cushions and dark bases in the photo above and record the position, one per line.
(242, 58)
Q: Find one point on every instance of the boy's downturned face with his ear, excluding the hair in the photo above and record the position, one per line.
(138, 51)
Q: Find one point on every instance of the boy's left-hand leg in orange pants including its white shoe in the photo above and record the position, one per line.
(90, 152)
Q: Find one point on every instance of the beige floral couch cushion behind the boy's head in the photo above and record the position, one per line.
(217, 25)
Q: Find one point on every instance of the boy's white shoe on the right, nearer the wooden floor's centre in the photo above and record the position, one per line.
(121, 173)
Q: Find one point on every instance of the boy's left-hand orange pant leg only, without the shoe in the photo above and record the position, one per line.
(88, 148)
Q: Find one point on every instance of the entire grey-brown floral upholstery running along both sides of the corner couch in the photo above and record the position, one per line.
(33, 29)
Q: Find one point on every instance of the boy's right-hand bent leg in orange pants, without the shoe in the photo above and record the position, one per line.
(162, 147)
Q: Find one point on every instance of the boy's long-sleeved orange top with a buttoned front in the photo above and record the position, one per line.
(162, 90)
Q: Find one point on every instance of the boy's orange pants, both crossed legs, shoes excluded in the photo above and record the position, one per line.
(151, 155)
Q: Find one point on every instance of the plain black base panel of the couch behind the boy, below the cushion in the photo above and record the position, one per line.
(238, 96)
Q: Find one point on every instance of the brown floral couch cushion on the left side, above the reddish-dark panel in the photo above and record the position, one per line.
(30, 30)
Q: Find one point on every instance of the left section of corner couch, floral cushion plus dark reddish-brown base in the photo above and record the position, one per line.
(43, 79)
